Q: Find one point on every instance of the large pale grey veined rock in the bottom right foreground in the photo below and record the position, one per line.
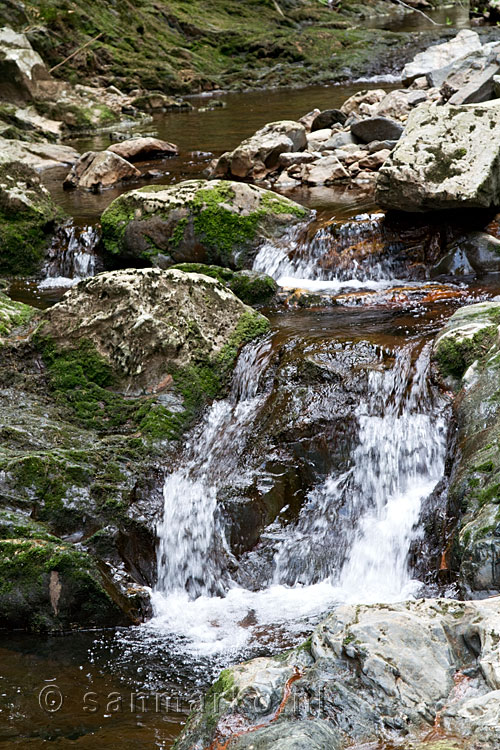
(368, 675)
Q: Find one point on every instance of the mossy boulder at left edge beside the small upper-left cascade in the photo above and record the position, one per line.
(27, 218)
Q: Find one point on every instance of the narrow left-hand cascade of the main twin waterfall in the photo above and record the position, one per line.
(193, 554)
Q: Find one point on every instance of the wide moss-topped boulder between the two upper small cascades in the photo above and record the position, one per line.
(218, 222)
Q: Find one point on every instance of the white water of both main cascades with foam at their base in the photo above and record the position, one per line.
(352, 537)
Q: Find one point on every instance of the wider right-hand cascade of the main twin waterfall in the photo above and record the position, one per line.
(356, 528)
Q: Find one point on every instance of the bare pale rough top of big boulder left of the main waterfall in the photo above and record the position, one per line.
(141, 323)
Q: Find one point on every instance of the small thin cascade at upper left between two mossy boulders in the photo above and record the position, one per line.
(72, 256)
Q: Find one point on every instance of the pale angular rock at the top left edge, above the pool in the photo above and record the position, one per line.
(23, 75)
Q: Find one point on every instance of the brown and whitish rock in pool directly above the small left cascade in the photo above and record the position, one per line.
(96, 170)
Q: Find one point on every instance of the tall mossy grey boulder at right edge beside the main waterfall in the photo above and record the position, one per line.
(467, 354)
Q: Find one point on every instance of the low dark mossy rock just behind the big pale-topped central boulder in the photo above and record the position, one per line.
(252, 287)
